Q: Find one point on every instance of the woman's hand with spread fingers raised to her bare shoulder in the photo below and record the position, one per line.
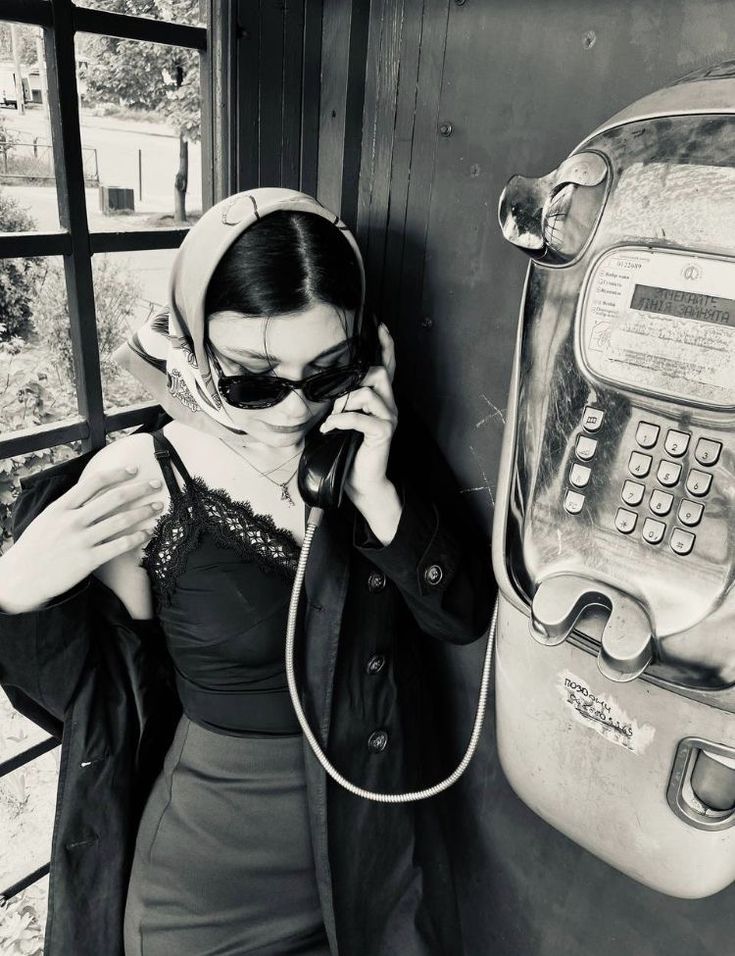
(94, 521)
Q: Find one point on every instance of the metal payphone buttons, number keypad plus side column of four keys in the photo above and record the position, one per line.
(661, 501)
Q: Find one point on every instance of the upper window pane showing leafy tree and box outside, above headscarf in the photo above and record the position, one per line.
(141, 121)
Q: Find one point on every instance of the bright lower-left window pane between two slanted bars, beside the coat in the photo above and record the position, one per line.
(27, 799)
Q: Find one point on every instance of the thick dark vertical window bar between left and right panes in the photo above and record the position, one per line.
(67, 146)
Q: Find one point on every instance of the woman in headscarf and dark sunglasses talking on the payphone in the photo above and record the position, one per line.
(241, 845)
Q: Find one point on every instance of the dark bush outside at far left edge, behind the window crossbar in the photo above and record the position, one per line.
(18, 277)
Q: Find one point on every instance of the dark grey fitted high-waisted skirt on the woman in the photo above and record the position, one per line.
(223, 859)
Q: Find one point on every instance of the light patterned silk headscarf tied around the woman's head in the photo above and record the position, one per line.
(167, 354)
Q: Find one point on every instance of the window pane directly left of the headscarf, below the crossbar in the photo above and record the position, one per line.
(129, 287)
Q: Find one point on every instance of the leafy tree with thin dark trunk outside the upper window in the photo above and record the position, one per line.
(152, 77)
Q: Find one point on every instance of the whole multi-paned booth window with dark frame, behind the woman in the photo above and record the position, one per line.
(113, 140)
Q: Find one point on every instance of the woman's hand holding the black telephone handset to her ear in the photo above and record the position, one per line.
(371, 409)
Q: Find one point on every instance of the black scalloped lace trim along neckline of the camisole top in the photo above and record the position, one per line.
(233, 524)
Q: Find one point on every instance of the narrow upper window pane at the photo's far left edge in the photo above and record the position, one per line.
(27, 177)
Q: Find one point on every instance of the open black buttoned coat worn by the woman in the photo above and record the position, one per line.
(375, 625)
